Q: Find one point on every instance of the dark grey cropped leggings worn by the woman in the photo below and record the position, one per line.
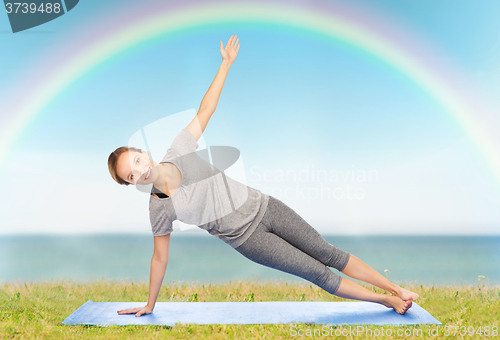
(284, 241)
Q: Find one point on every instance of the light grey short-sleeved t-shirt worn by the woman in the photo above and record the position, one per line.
(206, 197)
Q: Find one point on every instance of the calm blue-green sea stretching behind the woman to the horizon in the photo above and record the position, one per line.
(430, 260)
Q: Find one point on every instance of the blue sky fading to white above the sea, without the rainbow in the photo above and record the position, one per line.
(347, 140)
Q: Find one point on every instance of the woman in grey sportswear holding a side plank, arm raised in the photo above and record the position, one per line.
(259, 226)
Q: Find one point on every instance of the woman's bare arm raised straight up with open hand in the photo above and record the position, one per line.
(211, 98)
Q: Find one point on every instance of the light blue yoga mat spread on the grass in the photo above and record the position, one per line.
(326, 313)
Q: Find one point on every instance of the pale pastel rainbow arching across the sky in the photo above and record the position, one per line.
(337, 25)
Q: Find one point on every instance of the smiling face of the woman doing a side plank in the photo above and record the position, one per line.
(136, 168)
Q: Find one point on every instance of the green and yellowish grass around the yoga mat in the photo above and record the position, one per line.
(36, 310)
